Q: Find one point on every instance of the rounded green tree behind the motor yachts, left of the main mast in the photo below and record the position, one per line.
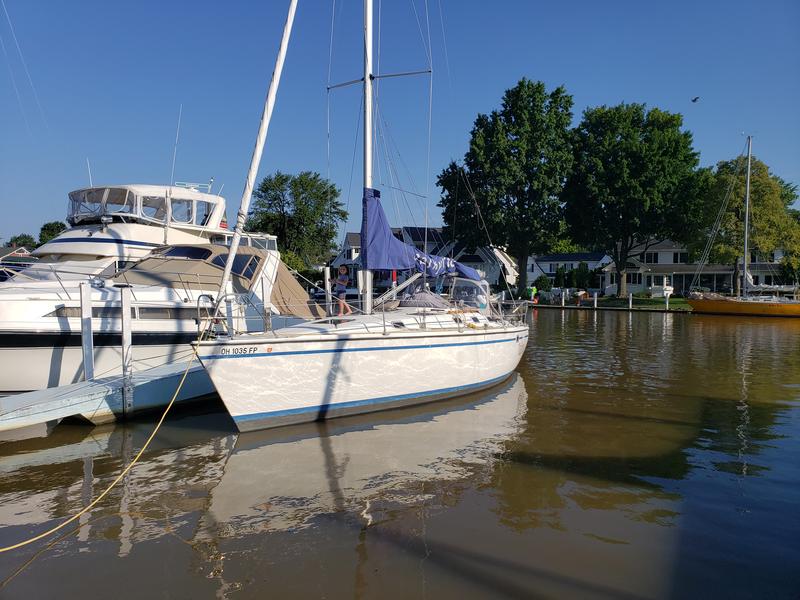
(303, 211)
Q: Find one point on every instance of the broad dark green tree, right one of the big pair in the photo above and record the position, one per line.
(635, 182)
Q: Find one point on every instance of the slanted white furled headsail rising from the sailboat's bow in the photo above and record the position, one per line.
(269, 104)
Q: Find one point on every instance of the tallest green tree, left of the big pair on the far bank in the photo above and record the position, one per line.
(507, 189)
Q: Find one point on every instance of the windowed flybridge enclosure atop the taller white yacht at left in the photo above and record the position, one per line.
(152, 204)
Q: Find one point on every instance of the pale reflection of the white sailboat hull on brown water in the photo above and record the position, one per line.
(278, 480)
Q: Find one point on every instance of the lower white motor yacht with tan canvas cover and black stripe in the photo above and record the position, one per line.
(40, 321)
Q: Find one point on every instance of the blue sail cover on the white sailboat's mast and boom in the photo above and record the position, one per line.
(381, 251)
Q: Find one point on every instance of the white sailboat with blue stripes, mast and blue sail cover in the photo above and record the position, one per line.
(406, 347)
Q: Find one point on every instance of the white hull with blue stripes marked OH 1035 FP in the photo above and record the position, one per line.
(268, 382)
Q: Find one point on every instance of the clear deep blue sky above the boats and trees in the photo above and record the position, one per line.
(104, 81)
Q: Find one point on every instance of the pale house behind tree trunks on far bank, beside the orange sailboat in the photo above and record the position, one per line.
(666, 264)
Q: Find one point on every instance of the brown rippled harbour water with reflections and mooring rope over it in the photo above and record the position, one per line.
(633, 455)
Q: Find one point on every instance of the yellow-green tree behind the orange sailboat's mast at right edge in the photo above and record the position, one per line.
(772, 224)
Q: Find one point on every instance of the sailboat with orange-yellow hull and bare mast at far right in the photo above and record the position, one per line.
(746, 304)
